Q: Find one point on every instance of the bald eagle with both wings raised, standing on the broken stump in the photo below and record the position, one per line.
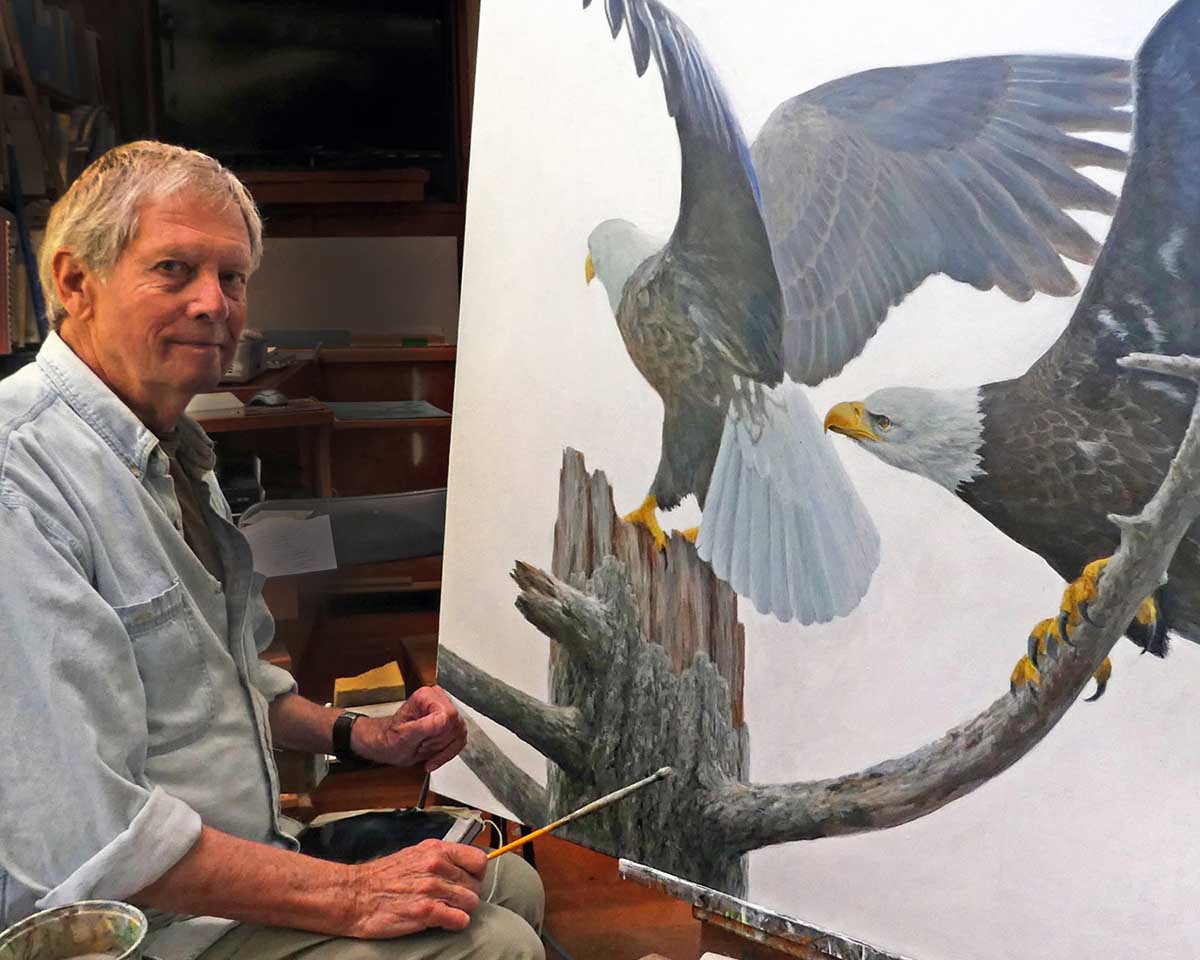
(788, 256)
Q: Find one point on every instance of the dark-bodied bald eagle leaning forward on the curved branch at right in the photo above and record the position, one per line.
(1047, 457)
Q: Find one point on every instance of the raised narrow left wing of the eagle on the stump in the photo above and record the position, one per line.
(721, 227)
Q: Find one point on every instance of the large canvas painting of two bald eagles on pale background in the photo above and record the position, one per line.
(831, 297)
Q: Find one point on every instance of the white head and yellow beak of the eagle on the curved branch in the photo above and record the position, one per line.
(934, 434)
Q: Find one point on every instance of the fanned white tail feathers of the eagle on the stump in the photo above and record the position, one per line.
(783, 524)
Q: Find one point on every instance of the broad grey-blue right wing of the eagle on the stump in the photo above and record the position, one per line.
(875, 182)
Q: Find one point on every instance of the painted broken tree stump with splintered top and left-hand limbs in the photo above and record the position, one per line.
(646, 656)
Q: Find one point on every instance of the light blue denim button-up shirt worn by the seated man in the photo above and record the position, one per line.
(134, 706)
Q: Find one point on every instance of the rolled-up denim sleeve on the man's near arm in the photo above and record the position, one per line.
(79, 819)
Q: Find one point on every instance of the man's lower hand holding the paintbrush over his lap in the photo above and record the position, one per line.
(431, 885)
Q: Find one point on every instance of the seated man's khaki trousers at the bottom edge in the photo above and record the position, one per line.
(506, 928)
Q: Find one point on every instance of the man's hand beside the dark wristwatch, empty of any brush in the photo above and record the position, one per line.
(427, 731)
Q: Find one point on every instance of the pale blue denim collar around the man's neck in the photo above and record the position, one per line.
(106, 413)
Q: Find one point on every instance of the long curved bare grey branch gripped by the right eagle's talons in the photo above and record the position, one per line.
(898, 791)
